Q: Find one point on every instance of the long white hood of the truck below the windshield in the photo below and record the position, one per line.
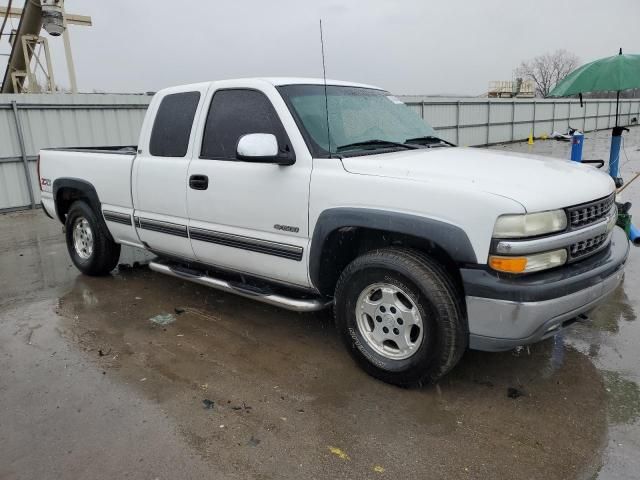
(538, 183)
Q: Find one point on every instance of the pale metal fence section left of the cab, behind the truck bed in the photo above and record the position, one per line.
(31, 122)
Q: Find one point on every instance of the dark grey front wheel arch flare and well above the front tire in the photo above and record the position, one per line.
(341, 234)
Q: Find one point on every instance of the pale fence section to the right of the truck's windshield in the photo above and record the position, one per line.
(471, 121)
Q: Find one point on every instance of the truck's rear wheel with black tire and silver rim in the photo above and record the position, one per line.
(89, 244)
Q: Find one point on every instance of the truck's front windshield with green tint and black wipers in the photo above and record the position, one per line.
(360, 119)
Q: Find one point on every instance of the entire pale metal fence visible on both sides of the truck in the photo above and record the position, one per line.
(31, 122)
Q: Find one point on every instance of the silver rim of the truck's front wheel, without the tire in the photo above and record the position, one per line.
(389, 321)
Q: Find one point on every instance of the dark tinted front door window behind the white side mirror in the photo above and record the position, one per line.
(237, 112)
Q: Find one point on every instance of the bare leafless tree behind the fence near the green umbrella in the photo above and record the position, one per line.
(548, 69)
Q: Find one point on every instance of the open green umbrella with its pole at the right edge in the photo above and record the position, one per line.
(610, 74)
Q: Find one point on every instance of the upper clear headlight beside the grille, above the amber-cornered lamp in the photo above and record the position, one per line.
(530, 224)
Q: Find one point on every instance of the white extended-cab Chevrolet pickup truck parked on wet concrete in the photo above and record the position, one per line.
(306, 195)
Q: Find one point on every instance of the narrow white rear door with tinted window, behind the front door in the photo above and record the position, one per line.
(160, 172)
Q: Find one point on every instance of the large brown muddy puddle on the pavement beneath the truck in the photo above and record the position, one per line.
(305, 392)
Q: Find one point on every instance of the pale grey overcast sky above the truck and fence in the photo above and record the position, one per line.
(407, 47)
